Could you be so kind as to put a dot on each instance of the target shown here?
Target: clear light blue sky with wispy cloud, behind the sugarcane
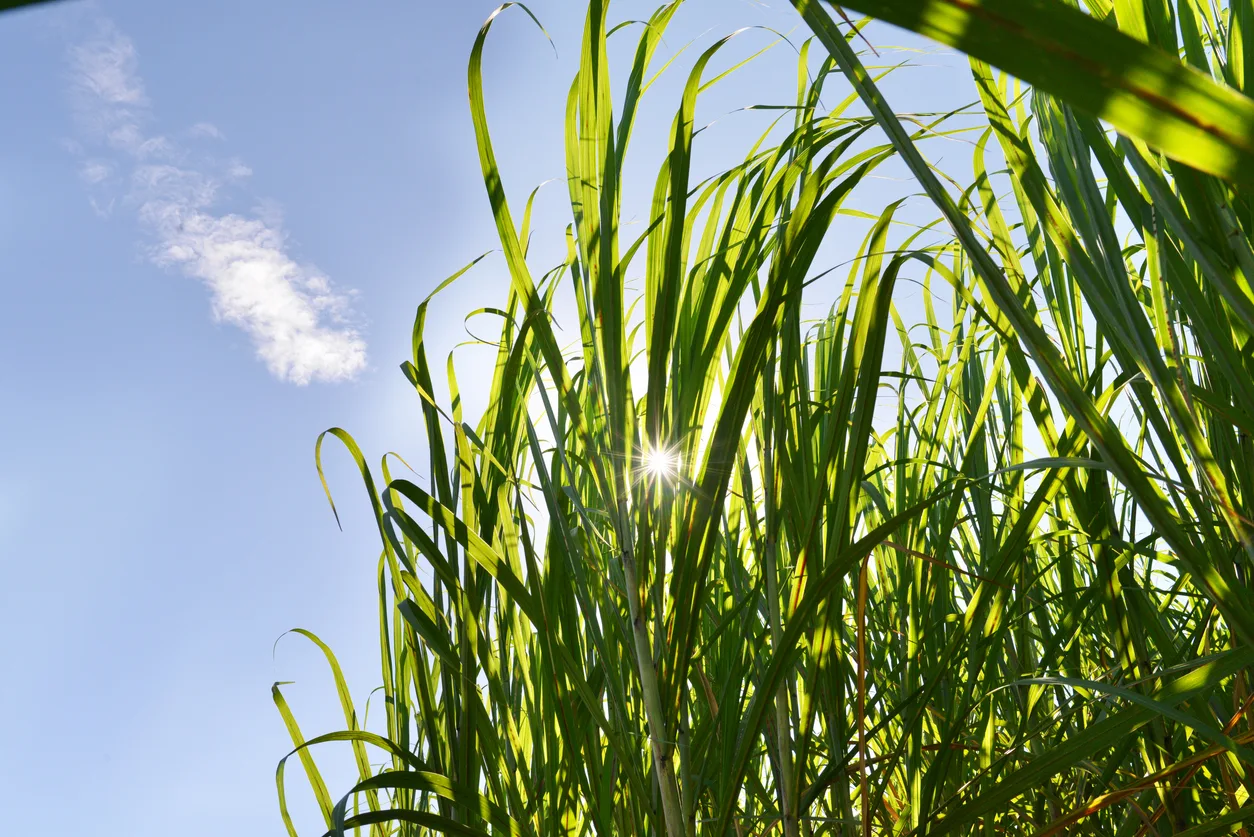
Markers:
(216, 221)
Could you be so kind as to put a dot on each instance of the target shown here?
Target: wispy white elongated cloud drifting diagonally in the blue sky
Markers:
(298, 321)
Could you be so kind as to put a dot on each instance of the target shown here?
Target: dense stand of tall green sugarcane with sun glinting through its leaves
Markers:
(715, 567)
